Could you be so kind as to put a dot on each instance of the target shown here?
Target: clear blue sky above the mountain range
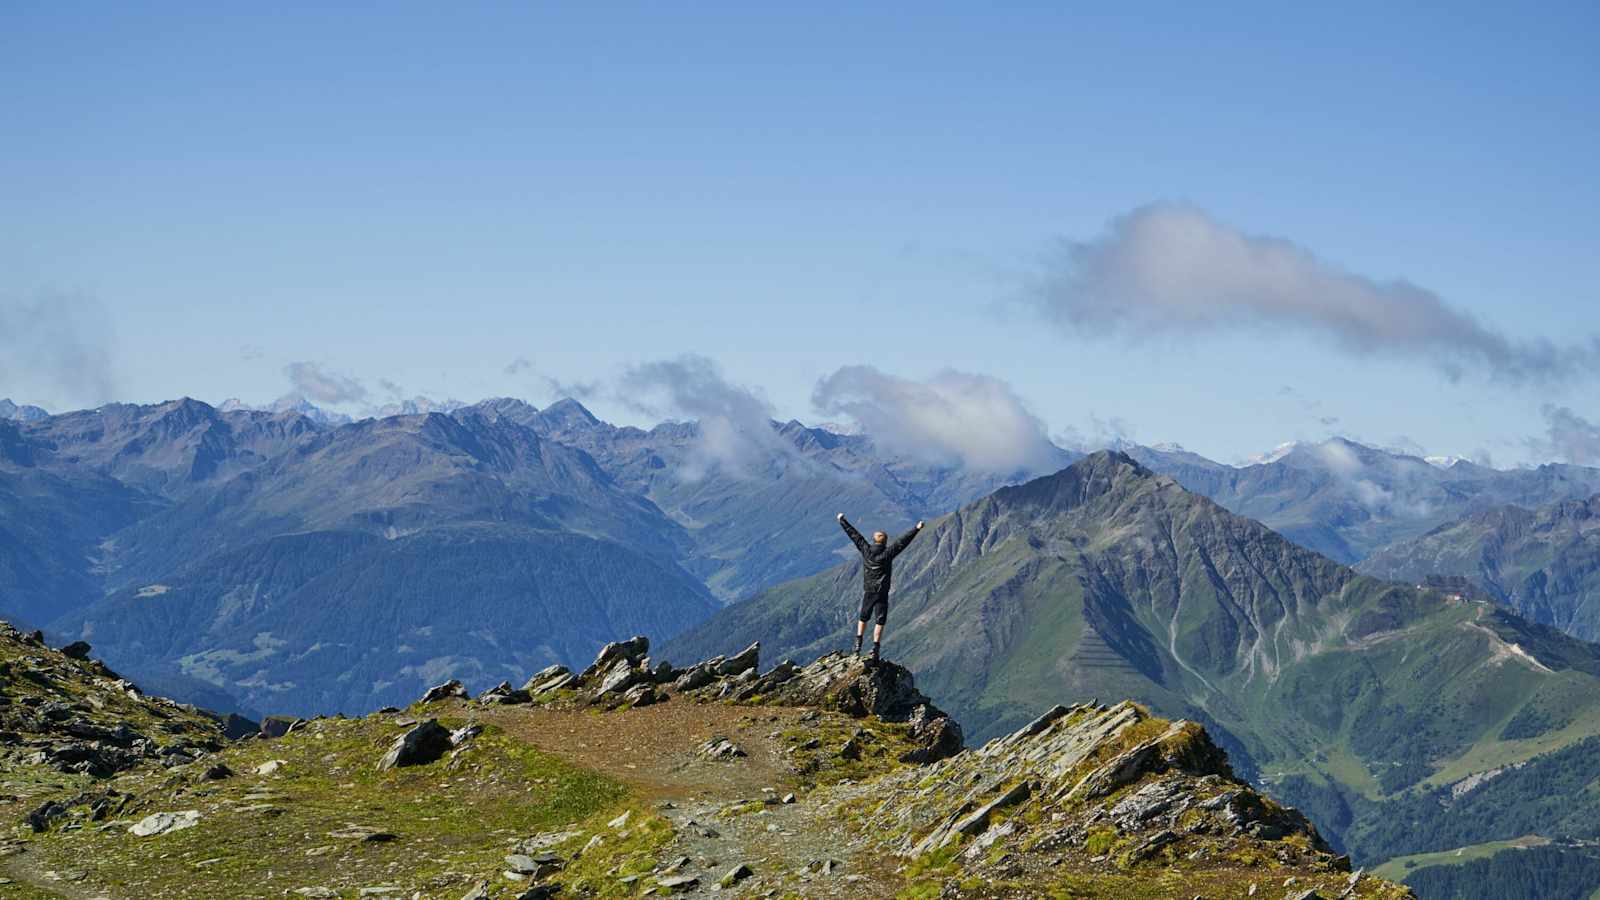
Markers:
(194, 198)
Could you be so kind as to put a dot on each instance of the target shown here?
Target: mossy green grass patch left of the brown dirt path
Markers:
(455, 819)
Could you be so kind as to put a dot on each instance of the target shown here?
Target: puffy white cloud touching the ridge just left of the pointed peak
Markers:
(954, 417)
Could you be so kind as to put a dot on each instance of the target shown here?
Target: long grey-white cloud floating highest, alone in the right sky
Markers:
(1172, 270)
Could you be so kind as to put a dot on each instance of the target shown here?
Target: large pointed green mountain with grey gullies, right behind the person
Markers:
(1391, 715)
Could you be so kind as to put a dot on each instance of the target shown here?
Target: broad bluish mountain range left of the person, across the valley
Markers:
(281, 561)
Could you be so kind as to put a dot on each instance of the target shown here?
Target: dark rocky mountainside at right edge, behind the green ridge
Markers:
(1542, 563)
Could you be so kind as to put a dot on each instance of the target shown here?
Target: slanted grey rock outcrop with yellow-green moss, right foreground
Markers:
(1126, 794)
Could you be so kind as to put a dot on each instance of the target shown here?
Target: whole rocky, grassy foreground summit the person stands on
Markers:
(636, 777)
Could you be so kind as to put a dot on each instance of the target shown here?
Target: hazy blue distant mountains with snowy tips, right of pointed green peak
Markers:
(1348, 500)
